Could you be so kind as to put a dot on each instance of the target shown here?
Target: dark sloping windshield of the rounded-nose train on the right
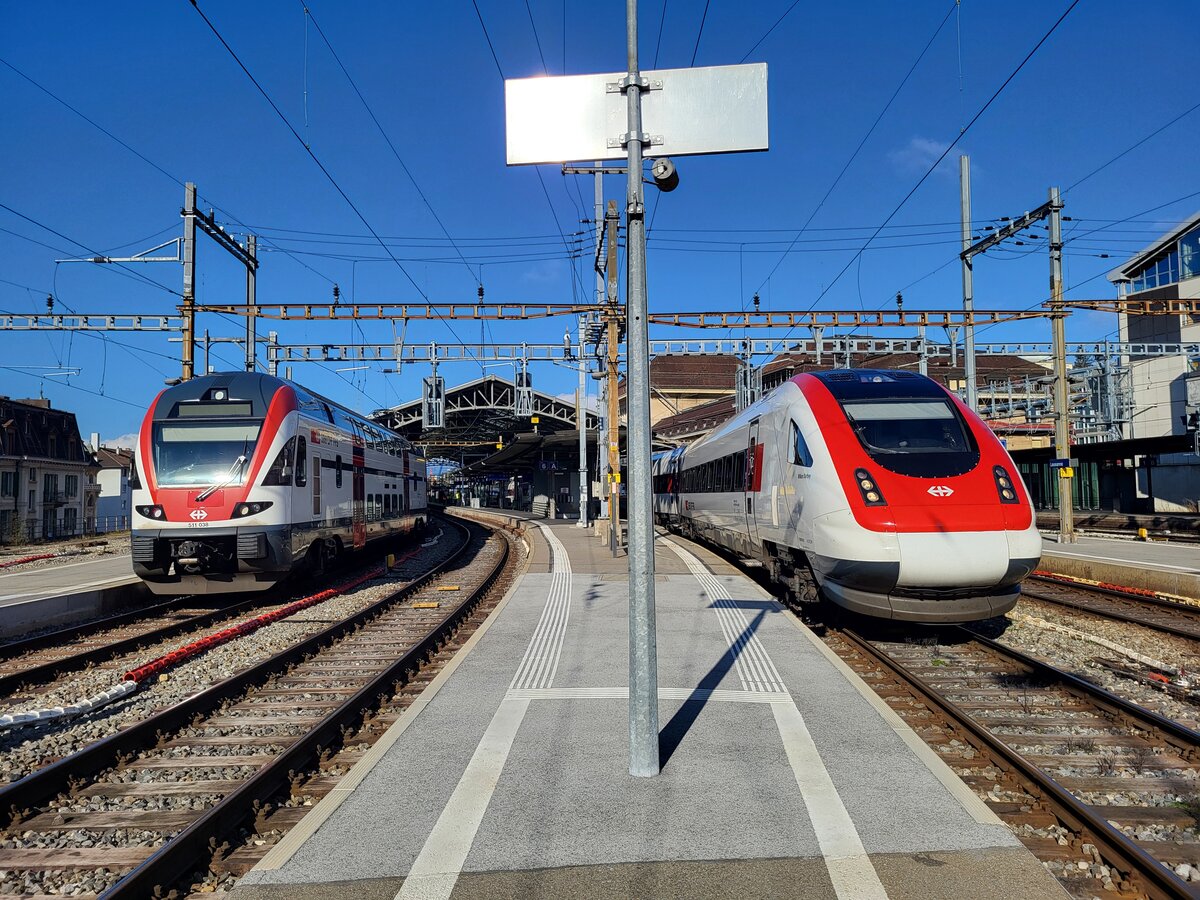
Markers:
(926, 439)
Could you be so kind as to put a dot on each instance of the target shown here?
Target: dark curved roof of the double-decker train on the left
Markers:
(256, 389)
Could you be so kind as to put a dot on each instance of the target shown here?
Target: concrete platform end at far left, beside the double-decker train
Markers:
(65, 593)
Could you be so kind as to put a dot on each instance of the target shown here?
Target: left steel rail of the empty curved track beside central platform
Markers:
(40, 787)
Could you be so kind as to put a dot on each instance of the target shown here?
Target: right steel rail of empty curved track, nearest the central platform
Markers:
(181, 853)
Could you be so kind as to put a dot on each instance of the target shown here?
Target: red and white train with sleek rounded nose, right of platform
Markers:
(879, 487)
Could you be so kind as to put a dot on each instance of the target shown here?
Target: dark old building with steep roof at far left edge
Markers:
(47, 476)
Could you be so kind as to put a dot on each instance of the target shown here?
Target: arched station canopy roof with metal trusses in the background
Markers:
(481, 415)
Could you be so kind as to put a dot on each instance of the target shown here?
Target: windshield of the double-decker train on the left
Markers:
(202, 454)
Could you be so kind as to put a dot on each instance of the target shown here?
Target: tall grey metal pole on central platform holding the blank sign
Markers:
(644, 682)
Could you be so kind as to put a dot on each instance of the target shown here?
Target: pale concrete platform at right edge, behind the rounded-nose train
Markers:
(1155, 566)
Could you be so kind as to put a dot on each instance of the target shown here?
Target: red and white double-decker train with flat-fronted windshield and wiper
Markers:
(244, 478)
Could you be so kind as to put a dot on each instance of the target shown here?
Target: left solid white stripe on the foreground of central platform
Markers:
(437, 867)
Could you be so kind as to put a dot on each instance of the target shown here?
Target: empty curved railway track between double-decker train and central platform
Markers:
(148, 805)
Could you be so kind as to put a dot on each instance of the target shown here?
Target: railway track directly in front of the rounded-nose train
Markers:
(1103, 791)
